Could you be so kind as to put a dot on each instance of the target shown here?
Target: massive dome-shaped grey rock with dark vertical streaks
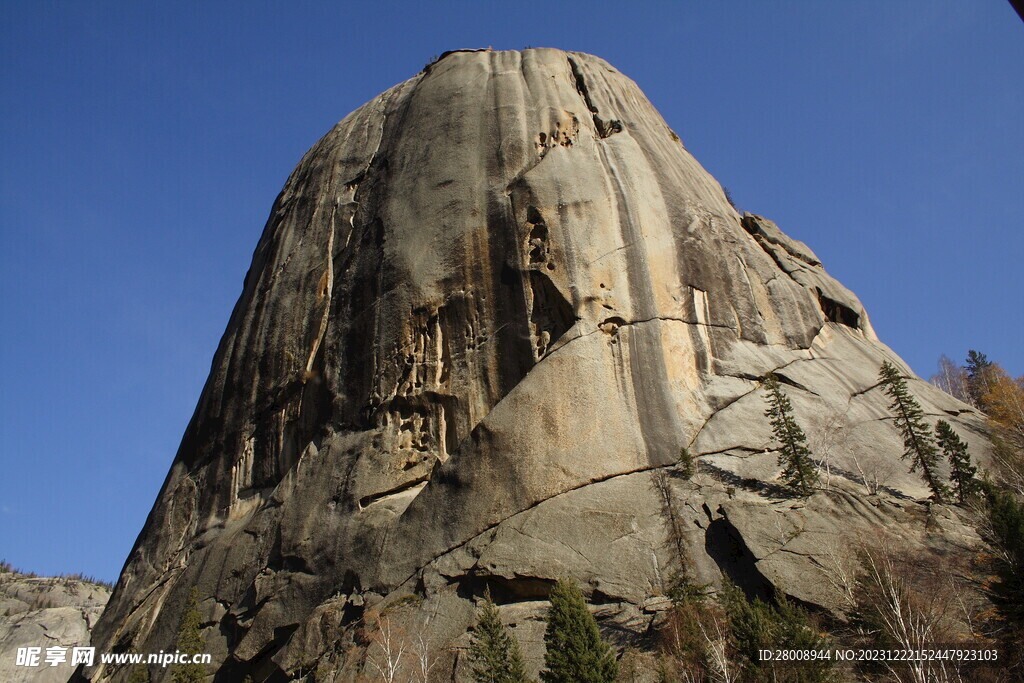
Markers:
(488, 312)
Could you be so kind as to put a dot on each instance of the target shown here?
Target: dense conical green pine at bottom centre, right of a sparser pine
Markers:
(576, 650)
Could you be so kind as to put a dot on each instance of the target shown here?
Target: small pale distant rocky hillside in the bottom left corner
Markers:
(38, 612)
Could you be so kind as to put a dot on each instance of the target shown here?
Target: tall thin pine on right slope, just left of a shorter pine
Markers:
(910, 419)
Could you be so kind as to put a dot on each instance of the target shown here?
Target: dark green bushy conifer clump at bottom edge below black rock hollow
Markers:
(756, 626)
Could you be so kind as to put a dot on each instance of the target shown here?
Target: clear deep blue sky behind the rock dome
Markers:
(144, 144)
